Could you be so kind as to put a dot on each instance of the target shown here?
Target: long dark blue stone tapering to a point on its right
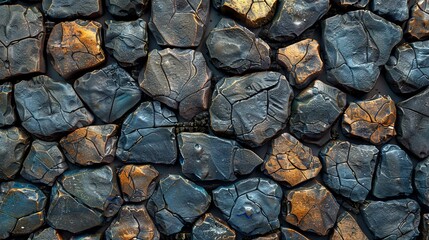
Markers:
(206, 157)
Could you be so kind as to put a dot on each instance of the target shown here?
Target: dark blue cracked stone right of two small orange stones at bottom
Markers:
(176, 202)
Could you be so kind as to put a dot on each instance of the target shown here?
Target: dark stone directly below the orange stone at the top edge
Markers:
(235, 49)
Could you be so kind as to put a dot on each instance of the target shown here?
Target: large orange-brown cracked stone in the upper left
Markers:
(75, 47)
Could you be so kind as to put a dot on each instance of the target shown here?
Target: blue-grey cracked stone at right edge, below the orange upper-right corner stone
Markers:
(407, 70)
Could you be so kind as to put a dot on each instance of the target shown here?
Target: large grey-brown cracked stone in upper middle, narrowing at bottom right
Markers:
(179, 78)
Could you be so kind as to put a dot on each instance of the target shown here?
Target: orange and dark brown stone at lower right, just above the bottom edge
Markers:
(311, 208)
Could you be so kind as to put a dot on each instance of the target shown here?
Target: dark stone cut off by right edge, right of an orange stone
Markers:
(411, 113)
